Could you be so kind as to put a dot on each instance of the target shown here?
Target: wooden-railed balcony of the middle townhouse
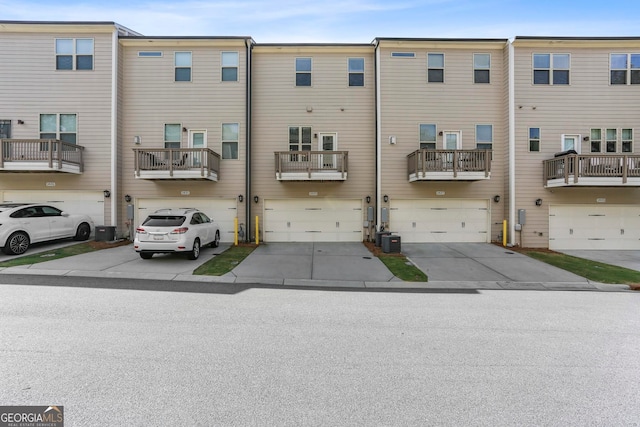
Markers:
(311, 165)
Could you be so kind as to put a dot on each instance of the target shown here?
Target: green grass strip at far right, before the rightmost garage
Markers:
(592, 270)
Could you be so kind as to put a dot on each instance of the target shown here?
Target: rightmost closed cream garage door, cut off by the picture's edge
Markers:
(594, 227)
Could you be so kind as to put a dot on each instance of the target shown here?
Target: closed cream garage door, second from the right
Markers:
(440, 220)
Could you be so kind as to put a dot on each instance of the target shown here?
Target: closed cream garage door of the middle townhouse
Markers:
(313, 220)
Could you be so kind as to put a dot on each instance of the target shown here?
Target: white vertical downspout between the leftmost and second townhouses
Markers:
(114, 128)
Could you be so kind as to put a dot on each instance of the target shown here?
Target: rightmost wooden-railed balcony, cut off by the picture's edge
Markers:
(592, 170)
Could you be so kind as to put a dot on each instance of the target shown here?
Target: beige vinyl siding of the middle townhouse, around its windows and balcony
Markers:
(336, 108)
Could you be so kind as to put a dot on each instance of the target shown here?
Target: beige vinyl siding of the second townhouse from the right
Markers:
(407, 100)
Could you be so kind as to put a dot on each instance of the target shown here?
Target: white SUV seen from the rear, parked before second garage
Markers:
(176, 231)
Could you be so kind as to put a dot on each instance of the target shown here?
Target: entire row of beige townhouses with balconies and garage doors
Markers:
(438, 140)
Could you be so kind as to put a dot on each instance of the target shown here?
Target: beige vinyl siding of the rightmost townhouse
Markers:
(588, 102)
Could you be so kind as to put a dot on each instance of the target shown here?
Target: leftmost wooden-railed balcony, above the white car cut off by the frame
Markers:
(40, 155)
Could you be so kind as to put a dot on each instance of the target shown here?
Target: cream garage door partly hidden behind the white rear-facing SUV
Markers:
(223, 211)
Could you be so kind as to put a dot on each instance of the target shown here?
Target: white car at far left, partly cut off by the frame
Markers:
(22, 224)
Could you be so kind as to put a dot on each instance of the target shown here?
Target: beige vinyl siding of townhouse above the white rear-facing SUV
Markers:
(151, 99)
